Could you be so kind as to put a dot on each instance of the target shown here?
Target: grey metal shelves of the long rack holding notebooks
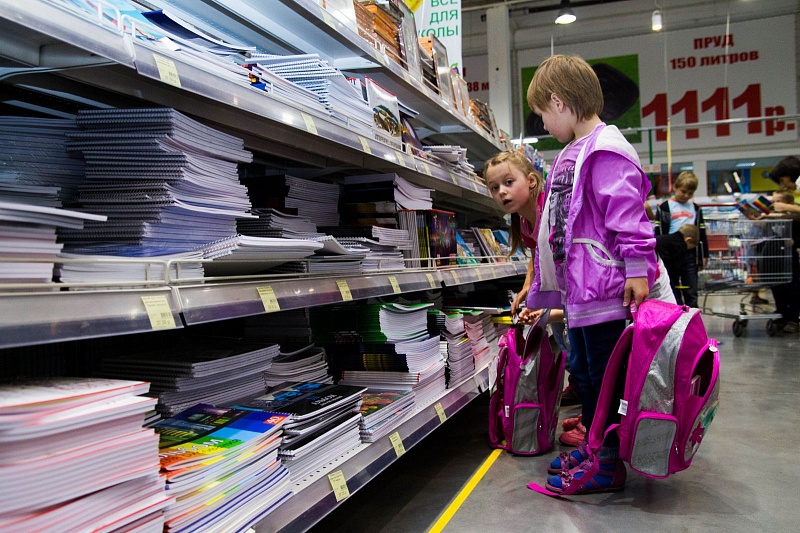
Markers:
(49, 47)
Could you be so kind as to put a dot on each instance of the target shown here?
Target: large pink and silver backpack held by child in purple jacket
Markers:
(671, 373)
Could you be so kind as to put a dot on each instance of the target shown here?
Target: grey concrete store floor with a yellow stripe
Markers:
(743, 477)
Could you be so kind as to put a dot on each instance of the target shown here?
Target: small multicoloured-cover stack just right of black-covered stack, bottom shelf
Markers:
(382, 411)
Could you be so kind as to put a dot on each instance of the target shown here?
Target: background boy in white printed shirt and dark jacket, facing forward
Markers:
(674, 213)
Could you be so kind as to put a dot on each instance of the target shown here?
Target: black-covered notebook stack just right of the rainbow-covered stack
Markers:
(323, 422)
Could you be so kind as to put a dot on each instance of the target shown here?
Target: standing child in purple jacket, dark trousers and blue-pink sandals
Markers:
(596, 247)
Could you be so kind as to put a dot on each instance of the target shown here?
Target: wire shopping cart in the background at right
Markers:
(744, 257)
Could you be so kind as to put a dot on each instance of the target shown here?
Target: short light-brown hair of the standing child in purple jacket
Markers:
(571, 79)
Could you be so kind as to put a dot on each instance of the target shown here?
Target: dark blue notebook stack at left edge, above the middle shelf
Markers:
(36, 168)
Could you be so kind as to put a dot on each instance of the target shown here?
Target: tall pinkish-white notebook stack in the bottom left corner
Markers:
(74, 457)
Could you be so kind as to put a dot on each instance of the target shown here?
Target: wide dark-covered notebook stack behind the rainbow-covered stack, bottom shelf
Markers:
(213, 370)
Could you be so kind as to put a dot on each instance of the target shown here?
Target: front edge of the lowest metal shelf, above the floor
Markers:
(314, 498)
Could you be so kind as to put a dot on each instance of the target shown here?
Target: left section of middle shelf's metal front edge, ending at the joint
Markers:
(46, 317)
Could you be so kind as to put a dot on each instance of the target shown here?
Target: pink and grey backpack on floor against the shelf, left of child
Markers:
(523, 409)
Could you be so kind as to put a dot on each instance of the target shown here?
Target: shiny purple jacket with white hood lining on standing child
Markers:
(608, 237)
